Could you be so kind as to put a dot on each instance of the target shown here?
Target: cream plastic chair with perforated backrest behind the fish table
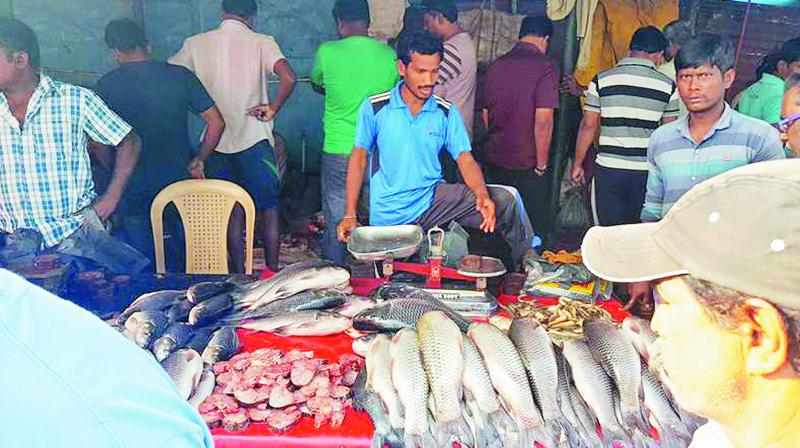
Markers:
(205, 208)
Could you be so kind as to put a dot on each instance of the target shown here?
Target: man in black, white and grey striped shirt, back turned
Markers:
(626, 103)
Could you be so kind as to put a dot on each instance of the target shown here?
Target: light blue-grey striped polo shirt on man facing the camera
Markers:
(677, 163)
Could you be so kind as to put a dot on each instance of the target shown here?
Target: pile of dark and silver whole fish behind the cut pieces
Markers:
(188, 331)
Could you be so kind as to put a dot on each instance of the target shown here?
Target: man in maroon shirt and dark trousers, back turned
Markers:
(520, 94)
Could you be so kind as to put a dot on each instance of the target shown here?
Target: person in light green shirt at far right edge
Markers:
(763, 99)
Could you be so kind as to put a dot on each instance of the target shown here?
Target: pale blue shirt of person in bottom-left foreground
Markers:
(72, 380)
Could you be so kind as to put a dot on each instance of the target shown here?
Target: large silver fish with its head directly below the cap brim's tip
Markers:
(619, 358)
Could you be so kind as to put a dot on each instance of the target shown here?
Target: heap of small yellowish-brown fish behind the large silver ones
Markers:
(564, 319)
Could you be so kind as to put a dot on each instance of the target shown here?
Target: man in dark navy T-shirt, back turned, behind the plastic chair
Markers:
(154, 98)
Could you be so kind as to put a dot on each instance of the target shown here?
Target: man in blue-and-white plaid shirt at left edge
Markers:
(45, 174)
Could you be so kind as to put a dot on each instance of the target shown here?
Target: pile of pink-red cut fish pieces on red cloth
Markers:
(278, 388)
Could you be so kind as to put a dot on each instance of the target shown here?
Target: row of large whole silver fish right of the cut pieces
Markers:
(440, 379)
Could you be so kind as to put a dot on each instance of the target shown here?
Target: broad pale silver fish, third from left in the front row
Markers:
(442, 350)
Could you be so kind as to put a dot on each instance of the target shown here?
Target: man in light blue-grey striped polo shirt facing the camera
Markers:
(713, 139)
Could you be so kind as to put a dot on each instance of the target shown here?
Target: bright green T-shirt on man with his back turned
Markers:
(350, 70)
